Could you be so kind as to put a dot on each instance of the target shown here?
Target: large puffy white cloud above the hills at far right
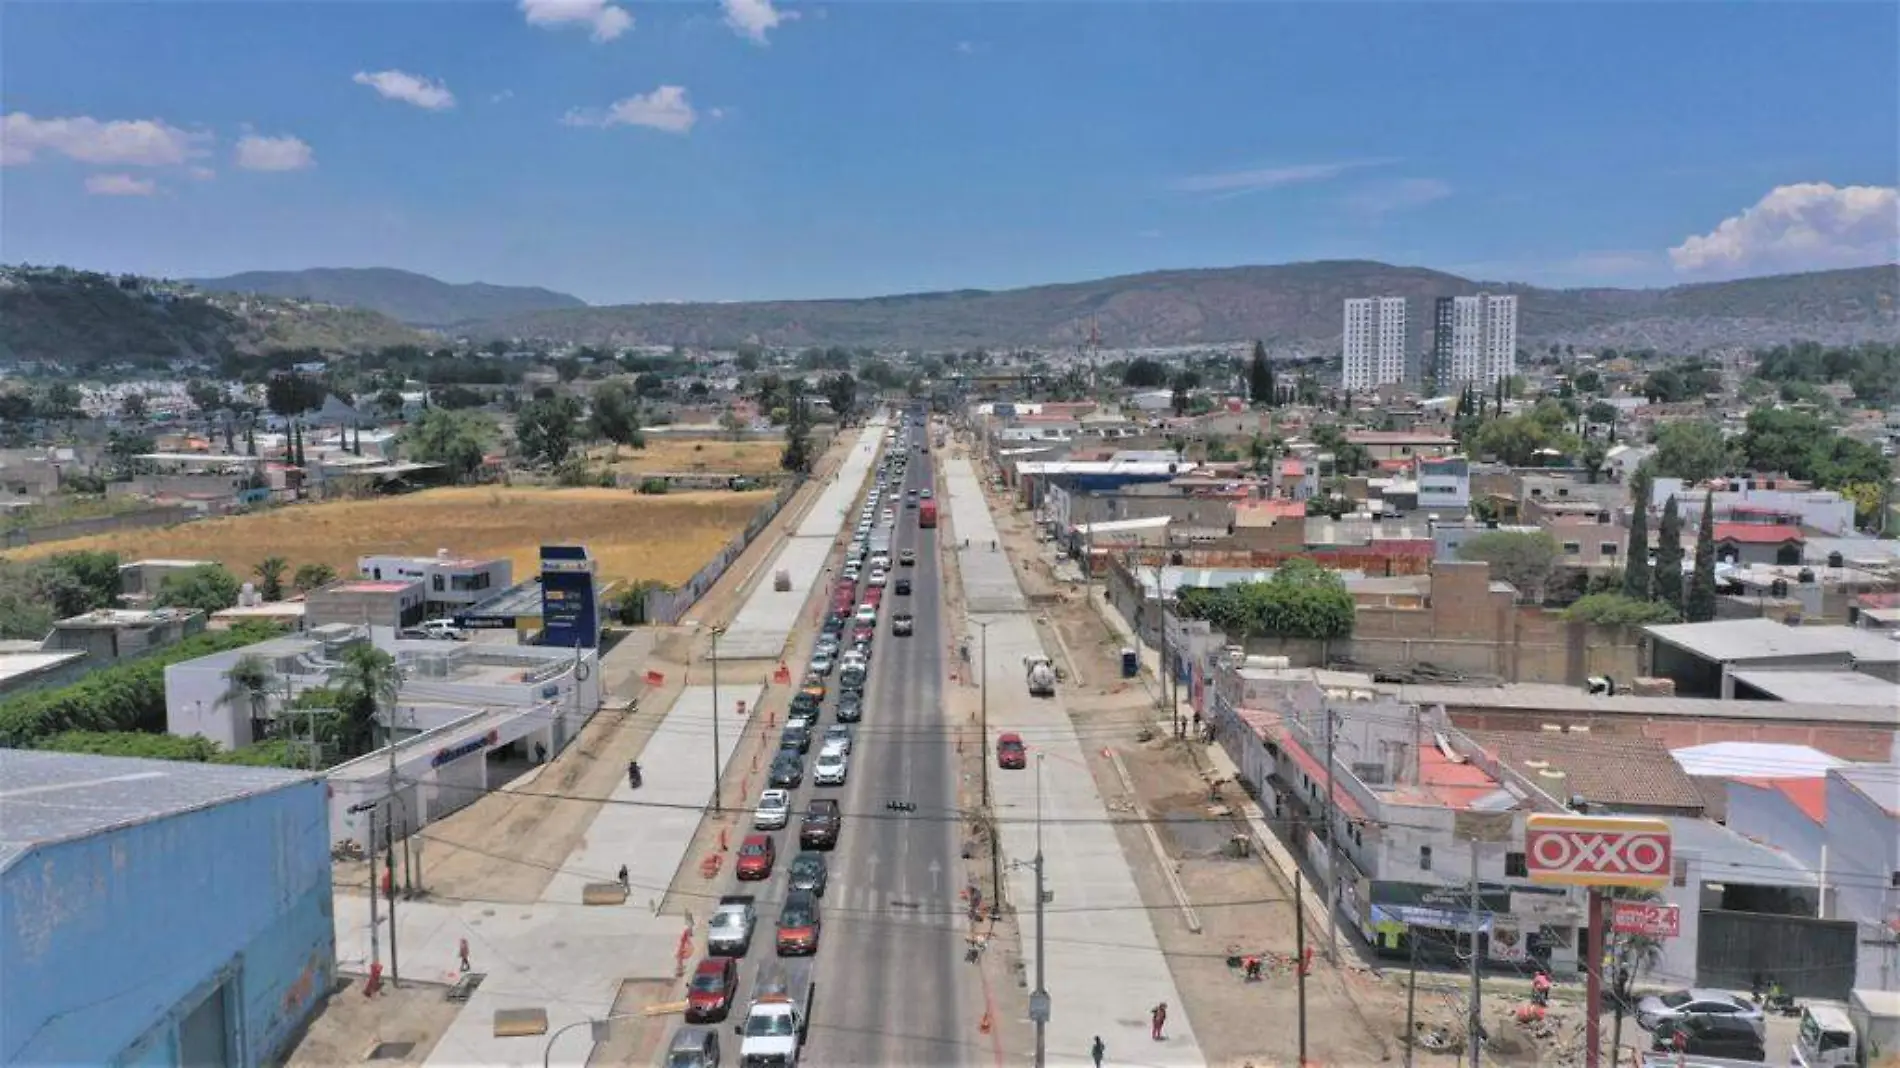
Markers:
(1800, 227)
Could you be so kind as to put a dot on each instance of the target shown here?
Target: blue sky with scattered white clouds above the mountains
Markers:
(704, 153)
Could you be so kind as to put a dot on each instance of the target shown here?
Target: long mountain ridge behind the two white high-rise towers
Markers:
(1291, 307)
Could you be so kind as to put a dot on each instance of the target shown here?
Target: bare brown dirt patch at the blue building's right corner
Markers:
(351, 1027)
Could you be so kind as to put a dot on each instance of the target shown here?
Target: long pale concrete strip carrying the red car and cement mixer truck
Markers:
(1105, 968)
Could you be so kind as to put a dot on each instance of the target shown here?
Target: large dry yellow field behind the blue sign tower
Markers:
(632, 537)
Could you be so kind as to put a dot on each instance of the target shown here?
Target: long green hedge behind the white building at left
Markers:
(121, 698)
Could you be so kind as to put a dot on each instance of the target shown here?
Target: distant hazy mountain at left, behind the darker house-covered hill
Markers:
(406, 297)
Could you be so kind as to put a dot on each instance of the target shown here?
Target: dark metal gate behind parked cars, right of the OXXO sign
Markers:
(1810, 959)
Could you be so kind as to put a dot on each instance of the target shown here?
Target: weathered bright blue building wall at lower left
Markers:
(109, 942)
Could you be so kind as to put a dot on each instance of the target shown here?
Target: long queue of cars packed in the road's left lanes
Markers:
(776, 1020)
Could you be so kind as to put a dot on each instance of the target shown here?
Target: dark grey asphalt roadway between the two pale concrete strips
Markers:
(892, 985)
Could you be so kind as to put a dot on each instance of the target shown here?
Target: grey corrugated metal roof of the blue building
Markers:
(58, 797)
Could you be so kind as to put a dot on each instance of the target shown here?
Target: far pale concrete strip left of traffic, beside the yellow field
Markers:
(769, 617)
